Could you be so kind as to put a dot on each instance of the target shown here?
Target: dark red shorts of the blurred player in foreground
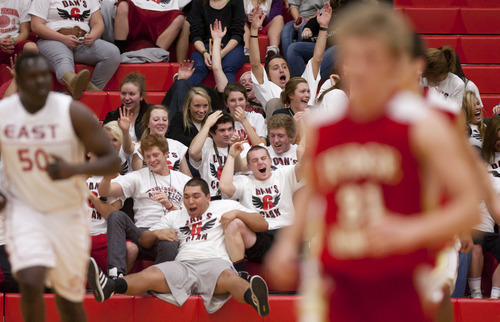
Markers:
(391, 298)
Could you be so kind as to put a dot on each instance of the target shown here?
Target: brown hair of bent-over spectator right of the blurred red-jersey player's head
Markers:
(440, 61)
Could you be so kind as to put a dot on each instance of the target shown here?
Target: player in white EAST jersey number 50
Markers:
(43, 139)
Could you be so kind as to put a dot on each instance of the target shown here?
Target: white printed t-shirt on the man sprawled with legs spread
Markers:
(200, 237)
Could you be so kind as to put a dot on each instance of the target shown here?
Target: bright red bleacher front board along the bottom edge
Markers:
(125, 308)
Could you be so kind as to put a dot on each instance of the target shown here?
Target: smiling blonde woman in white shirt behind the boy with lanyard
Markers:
(155, 121)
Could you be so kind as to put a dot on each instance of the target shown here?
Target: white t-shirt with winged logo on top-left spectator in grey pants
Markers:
(65, 13)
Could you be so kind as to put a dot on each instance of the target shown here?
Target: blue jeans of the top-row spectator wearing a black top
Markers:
(231, 64)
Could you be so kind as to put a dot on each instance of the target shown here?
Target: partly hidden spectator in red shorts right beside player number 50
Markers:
(99, 210)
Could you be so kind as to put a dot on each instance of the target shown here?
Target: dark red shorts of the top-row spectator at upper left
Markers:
(148, 23)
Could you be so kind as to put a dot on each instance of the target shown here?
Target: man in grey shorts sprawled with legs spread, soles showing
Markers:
(202, 265)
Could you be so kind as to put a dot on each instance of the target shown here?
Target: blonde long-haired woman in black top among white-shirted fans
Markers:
(186, 124)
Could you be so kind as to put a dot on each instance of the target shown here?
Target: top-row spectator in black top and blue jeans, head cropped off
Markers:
(232, 16)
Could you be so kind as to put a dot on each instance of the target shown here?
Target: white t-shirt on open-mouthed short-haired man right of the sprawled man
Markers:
(271, 198)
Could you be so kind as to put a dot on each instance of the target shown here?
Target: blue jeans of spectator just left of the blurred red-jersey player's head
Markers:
(299, 54)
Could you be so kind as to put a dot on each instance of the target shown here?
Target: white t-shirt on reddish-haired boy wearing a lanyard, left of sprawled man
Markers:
(141, 184)
